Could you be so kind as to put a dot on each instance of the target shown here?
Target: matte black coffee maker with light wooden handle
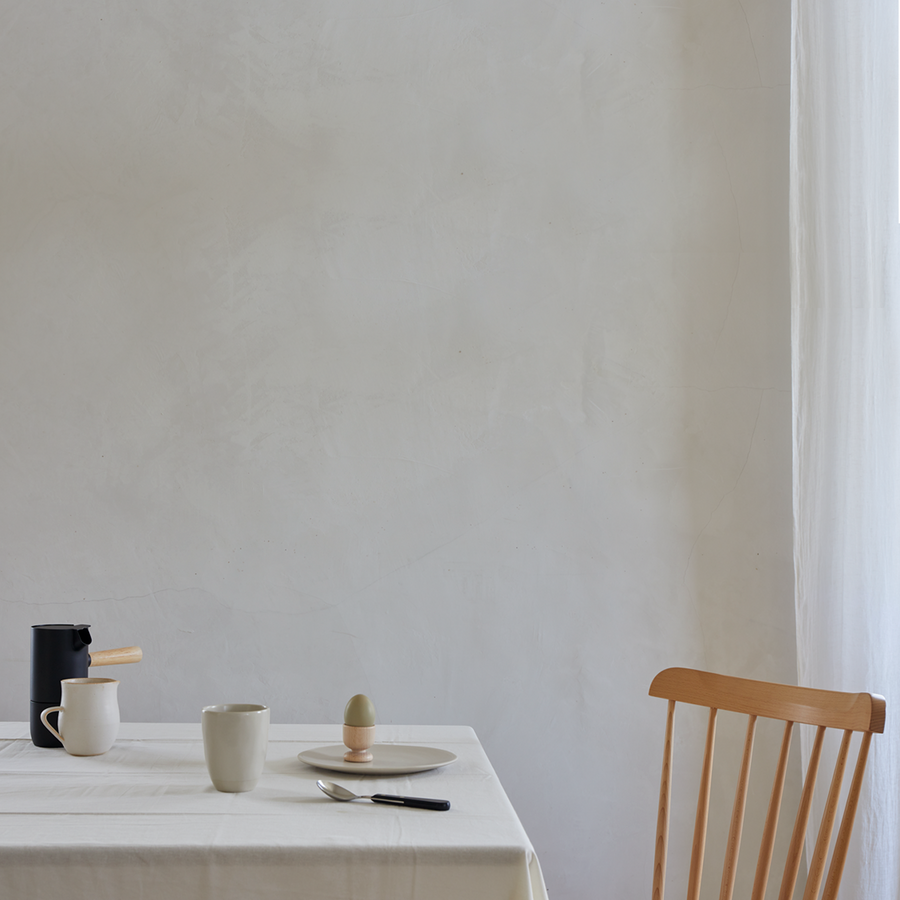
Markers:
(58, 652)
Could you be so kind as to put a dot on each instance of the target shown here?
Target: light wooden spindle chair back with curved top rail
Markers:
(824, 709)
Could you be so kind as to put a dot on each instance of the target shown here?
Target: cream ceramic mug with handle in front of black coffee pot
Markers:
(88, 715)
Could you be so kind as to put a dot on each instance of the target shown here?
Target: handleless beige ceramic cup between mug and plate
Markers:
(235, 740)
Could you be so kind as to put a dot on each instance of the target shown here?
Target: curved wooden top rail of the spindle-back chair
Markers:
(809, 706)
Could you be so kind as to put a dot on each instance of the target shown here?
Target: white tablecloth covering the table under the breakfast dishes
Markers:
(144, 821)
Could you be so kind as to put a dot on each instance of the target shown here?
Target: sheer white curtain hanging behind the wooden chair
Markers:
(846, 387)
